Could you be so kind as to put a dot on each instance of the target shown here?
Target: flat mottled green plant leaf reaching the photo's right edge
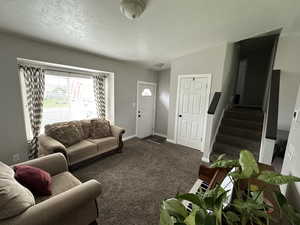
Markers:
(276, 178)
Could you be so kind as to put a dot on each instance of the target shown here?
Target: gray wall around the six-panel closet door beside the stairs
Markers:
(206, 61)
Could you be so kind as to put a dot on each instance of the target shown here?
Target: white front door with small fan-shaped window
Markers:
(145, 109)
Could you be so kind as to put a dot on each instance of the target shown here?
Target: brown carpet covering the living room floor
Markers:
(135, 181)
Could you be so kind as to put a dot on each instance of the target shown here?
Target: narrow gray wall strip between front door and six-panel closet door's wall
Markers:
(162, 102)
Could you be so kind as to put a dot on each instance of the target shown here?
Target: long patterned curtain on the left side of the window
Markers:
(34, 78)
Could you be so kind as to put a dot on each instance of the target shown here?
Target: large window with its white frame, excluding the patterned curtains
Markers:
(68, 95)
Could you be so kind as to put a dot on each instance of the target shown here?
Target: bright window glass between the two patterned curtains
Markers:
(68, 98)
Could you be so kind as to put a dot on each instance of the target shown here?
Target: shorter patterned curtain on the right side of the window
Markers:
(99, 93)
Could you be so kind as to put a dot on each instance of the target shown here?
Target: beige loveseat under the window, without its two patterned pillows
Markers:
(87, 148)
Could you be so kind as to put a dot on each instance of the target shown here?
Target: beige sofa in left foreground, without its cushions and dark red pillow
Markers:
(71, 202)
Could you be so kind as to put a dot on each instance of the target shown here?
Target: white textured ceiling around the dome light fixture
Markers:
(167, 30)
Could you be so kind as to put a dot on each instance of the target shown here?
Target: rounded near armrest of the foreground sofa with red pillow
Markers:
(55, 209)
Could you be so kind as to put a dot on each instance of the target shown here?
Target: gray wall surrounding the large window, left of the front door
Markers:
(12, 135)
